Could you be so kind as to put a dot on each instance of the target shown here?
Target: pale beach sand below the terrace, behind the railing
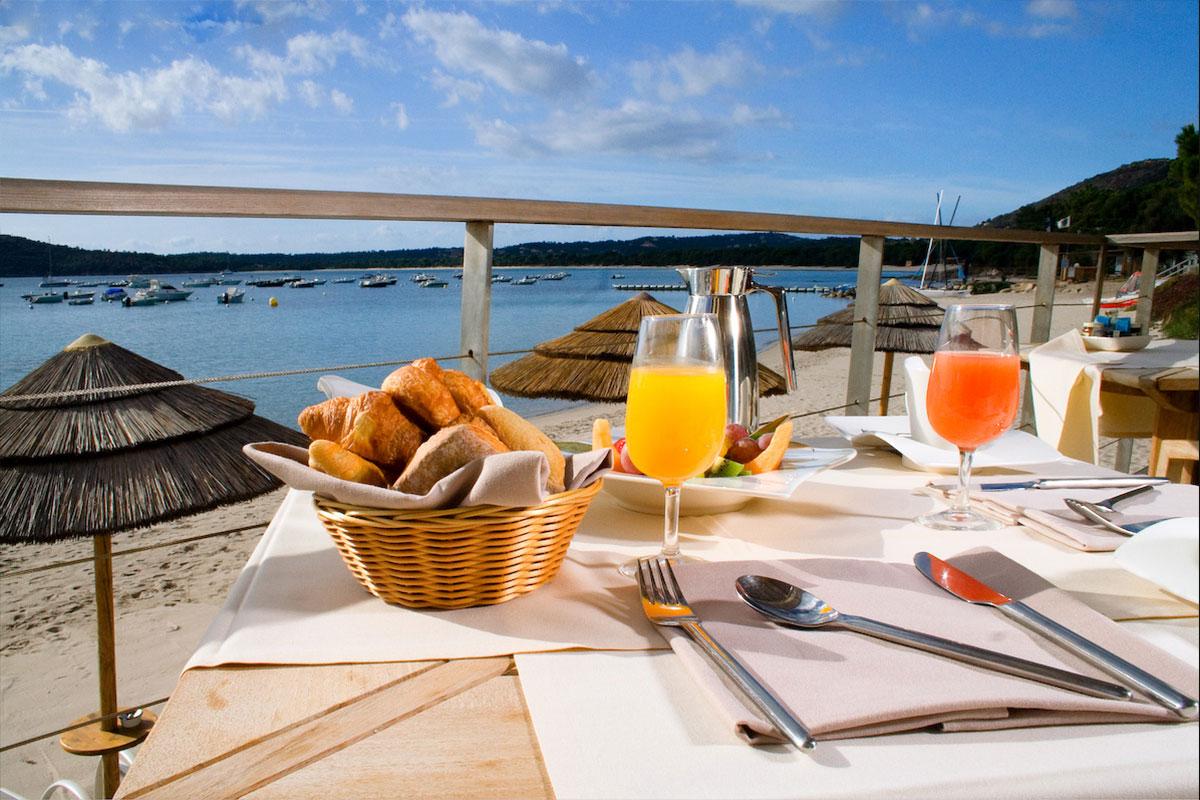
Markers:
(167, 597)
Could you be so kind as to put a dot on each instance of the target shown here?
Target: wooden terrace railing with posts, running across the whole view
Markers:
(481, 216)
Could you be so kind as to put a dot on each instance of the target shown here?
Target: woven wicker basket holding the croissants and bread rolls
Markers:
(455, 558)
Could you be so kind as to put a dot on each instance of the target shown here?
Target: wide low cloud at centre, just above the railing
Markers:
(634, 128)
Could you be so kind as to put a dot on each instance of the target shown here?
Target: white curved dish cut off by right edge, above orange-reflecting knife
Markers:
(1167, 555)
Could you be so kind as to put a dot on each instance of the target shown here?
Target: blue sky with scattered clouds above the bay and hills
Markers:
(825, 107)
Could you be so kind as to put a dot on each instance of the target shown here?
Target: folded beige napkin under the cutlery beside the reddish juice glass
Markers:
(1045, 513)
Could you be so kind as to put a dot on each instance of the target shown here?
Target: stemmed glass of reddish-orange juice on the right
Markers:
(973, 396)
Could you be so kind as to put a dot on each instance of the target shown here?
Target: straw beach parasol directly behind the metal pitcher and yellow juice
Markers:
(592, 363)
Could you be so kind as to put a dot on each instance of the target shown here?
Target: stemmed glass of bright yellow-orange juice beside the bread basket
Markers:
(675, 417)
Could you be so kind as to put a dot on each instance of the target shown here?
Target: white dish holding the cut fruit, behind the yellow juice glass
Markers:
(721, 495)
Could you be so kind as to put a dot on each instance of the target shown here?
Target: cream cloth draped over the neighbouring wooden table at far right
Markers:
(1071, 412)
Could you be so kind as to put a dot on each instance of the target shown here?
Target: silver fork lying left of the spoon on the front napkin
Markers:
(664, 604)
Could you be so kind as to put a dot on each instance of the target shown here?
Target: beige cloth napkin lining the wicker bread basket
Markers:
(513, 479)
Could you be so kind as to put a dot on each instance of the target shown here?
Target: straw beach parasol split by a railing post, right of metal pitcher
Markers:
(908, 322)
